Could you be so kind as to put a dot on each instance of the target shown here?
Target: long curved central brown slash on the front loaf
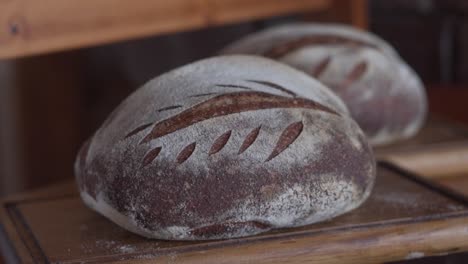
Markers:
(227, 104)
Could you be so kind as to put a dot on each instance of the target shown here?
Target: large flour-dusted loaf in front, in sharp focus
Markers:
(226, 147)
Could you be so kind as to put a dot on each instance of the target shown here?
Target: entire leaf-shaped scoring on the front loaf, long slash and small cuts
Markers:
(225, 104)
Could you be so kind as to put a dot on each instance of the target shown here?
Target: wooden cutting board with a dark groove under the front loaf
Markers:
(405, 217)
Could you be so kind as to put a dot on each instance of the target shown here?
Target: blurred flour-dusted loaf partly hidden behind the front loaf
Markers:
(384, 95)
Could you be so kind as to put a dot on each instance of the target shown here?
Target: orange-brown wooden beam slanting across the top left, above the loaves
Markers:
(34, 27)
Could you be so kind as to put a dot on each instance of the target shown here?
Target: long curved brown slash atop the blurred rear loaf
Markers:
(293, 45)
